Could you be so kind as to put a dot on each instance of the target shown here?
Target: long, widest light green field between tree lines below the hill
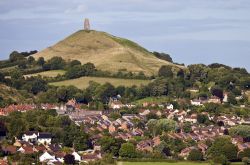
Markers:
(83, 82)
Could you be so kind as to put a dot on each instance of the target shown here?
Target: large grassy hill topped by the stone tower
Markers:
(107, 52)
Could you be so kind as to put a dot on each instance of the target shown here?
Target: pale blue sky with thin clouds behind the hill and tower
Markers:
(191, 31)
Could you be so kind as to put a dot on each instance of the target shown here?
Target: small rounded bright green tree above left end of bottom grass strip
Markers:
(127, 150)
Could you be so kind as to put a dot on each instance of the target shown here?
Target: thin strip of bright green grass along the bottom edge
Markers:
(160, 163)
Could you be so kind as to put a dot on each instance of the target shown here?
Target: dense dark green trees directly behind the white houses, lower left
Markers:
(63, 130)
